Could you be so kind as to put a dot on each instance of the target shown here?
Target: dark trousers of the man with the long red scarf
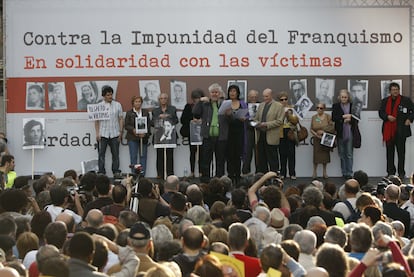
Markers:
(397, 143)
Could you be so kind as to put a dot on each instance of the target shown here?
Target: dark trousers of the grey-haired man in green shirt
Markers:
(218, 147)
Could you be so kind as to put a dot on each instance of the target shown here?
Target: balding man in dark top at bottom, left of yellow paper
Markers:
(193, 243)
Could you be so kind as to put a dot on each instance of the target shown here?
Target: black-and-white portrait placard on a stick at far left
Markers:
(33, 133)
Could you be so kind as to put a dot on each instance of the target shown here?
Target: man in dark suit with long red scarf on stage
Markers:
(397, 113)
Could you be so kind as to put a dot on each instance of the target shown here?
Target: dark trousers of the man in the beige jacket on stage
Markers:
(268, 156)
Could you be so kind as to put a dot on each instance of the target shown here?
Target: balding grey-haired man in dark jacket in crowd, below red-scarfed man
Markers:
(392, 210)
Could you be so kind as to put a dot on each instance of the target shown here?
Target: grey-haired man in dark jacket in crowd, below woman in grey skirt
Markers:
(312, 198)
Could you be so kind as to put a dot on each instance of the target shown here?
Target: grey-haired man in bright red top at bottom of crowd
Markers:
(238, 238)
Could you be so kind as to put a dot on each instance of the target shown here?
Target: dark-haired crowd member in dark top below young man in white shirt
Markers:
(103, 187)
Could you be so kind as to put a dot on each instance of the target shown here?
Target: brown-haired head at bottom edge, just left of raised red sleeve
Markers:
(333, 258)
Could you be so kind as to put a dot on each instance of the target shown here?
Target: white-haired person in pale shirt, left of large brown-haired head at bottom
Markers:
(307, 244)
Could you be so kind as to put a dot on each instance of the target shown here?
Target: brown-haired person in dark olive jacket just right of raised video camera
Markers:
(151, 205)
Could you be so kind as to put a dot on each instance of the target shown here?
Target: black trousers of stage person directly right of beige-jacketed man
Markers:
(287, 151)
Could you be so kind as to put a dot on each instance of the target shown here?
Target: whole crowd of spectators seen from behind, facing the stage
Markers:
(88, 226)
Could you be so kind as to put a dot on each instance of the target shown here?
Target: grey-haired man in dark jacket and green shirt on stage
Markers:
(214, 131)
